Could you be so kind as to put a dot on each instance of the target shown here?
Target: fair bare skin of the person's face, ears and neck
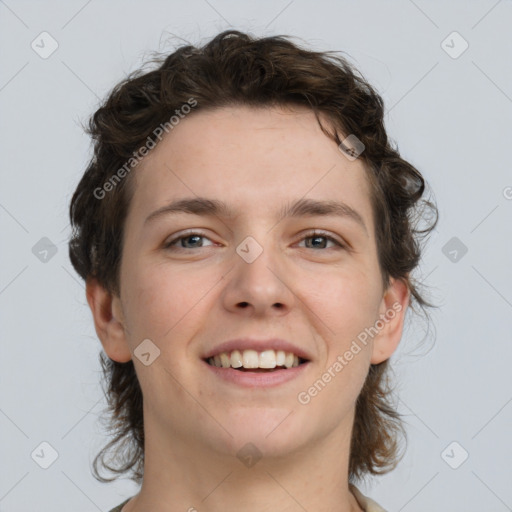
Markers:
(196, 296)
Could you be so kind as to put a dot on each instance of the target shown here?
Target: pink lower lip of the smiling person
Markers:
(257, 379)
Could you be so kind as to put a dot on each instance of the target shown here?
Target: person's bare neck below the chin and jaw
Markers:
(181, 475)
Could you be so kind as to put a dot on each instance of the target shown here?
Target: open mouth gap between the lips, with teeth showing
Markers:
(266, 361)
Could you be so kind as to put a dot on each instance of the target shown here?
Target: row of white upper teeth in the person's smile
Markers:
(254, 359)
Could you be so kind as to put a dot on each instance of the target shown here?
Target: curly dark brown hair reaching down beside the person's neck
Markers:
(235, 68)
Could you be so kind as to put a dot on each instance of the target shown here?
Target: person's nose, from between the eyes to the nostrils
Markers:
(258, 287)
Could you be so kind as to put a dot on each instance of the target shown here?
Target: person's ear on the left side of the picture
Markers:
(108, 321)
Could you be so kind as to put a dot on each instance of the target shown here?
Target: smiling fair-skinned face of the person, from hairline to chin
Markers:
(256, 270)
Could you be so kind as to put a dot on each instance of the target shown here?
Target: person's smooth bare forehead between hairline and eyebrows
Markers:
(254, 159)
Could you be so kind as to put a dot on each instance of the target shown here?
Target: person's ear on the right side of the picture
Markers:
(392, 314)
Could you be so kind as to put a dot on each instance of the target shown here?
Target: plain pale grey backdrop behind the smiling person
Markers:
(451, 117)
